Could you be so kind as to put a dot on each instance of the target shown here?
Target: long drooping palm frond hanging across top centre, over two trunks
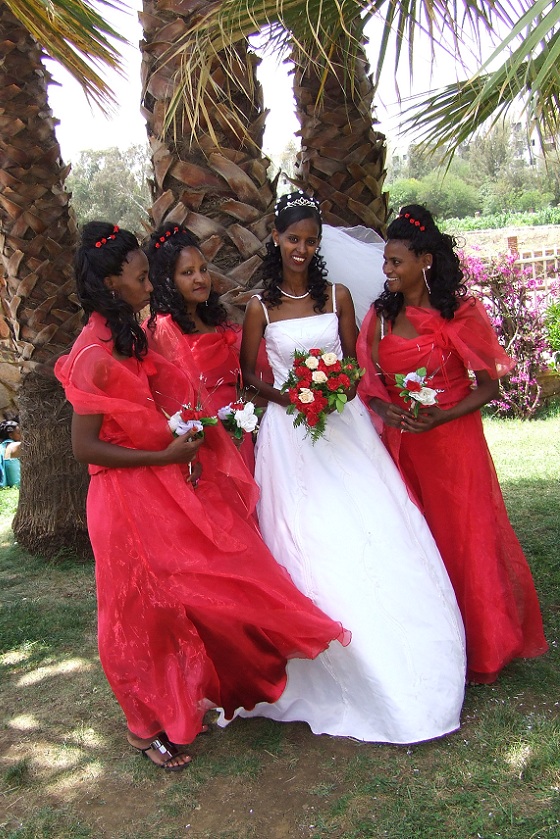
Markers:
(328, 35)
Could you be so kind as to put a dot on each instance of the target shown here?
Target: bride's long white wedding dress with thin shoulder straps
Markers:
(337, 515)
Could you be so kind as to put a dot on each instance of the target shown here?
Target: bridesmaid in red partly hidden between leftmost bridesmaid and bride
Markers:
(192, 324)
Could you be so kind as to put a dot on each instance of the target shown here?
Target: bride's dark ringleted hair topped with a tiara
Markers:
(291, 208)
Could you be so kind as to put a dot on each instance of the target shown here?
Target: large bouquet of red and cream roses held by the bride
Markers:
(317, 385)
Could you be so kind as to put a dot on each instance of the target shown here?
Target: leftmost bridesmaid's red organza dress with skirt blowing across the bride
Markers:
(193, 610)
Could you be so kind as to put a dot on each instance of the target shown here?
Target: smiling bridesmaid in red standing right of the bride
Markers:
(424, 324)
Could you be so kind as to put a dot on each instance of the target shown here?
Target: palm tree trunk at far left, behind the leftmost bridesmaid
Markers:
(40, 313)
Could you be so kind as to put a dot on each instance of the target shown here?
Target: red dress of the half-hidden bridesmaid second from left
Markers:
(216, 360)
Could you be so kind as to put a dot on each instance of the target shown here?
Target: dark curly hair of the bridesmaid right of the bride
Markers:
(415, 227)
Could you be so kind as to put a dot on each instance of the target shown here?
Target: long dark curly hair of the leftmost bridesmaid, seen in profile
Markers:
(103, 251)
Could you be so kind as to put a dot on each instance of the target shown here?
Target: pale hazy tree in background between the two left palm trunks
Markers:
(112, 184)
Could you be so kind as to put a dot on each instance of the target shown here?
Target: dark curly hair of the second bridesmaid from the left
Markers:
(163, 249)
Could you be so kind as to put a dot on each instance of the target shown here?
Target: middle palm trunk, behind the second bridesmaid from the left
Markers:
(217, 186)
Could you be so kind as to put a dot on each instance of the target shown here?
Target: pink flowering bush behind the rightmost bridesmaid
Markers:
(518, 318)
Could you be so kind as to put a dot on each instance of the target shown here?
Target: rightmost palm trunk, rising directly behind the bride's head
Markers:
(342, 162)
